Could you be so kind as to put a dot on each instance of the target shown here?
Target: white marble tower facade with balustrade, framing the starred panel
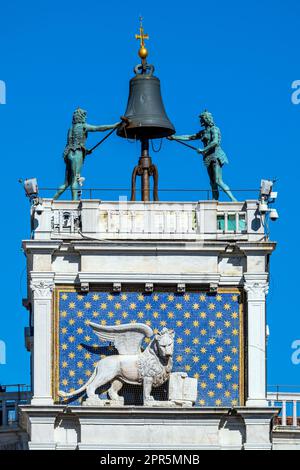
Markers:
(209, 244)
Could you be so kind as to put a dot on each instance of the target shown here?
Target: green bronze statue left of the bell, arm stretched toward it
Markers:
(75, 151)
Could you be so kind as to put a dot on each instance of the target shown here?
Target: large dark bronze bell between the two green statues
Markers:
(145, 109)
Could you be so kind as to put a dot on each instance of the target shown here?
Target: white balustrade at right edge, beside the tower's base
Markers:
(289, 401)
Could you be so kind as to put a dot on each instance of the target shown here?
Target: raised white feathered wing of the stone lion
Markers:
(126, 338)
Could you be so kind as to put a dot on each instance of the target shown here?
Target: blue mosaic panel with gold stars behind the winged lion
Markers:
(207, 337)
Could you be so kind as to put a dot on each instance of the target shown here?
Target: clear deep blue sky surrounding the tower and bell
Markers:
(237, 59)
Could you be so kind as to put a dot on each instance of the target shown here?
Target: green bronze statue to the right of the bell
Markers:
(213, 156)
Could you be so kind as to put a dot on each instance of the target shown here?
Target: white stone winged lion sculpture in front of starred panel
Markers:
(150, 368)
